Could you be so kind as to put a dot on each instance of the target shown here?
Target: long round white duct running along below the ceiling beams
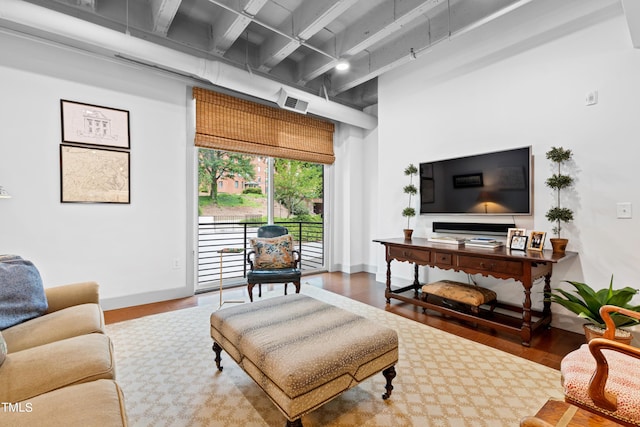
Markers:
(36, 20)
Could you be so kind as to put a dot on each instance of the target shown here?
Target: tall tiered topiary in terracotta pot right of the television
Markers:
(557, 182)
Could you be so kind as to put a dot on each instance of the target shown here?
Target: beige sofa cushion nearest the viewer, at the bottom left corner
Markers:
(98, 403)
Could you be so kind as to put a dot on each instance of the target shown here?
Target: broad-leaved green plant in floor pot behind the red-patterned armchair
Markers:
(586, 303)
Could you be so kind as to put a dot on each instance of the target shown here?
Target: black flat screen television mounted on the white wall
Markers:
(497, 183)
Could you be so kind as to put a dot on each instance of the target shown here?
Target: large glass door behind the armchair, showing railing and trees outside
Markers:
(235, 198)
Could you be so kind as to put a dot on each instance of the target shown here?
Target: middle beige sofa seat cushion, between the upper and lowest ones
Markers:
(28, 373)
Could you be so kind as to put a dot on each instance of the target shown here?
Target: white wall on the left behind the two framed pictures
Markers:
(128, 249)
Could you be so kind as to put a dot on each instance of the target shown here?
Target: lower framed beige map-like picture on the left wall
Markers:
(94, 175)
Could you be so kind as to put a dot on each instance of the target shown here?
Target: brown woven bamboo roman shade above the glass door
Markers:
(231, 124)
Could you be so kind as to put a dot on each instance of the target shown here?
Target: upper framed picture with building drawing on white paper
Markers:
(94, 125)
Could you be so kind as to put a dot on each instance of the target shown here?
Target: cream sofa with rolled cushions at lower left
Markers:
(59, 368)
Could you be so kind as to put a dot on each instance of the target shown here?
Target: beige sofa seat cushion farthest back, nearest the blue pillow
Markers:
(62, 324)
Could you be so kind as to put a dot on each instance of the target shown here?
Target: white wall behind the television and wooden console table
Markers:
(517, 81)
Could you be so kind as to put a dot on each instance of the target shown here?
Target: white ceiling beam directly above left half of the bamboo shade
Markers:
(227, 29)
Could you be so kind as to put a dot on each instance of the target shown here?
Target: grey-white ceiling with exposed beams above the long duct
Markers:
(296, 42)
